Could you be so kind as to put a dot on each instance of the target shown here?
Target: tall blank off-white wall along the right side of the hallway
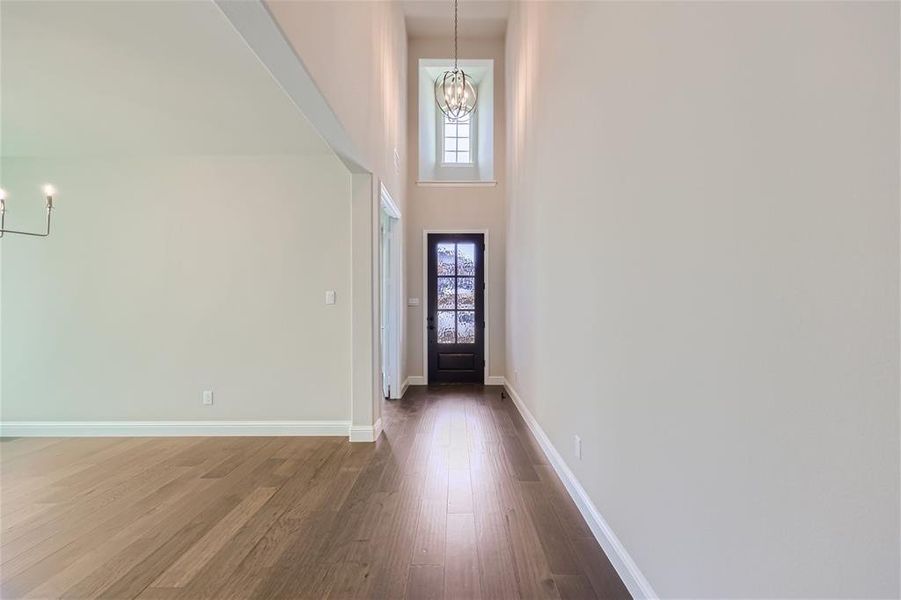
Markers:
(702, 282)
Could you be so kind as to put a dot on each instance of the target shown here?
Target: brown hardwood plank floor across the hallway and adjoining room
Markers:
(455, 500)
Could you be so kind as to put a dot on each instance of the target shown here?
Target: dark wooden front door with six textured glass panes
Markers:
(456, 313)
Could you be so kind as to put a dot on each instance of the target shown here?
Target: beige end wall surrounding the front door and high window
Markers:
(451, 208)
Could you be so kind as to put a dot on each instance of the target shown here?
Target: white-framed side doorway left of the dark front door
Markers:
(394, 294)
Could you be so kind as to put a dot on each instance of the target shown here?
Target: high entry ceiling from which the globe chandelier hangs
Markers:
(435, 18)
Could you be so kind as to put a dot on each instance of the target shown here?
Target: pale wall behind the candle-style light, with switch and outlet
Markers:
(168, 276)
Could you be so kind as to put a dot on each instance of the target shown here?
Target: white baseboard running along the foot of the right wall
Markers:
(628, 571)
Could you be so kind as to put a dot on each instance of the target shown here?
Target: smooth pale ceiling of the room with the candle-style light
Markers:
(85, 78)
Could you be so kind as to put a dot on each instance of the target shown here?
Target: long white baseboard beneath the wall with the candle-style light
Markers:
(171, 428)
